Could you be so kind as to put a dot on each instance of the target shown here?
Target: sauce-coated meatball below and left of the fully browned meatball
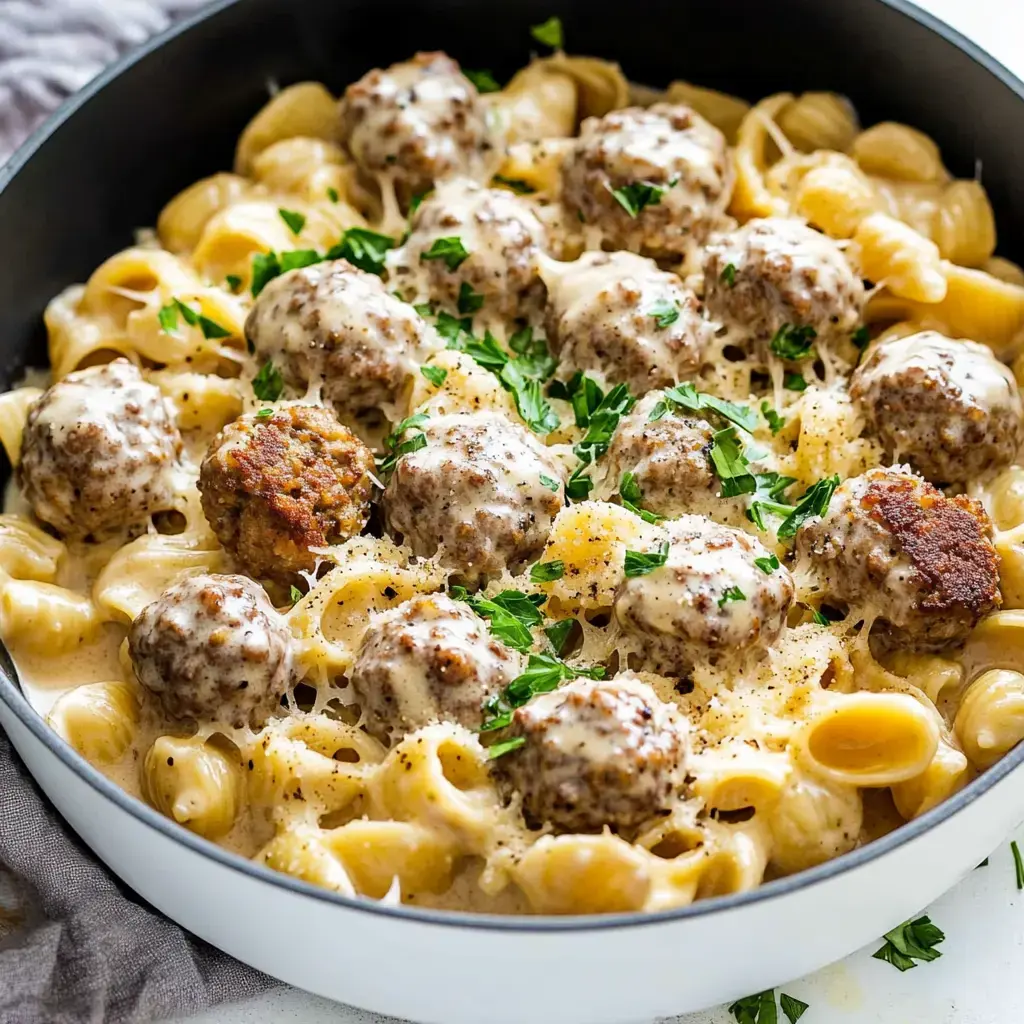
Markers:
(212, 649)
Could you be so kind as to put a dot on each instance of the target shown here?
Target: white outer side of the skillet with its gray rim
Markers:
(432, 967)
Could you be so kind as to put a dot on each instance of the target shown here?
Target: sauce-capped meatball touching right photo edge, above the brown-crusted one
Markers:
(950, 408)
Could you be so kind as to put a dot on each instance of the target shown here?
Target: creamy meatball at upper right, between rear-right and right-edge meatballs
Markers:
(778, 273)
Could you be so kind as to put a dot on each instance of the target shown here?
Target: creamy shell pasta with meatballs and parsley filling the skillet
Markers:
(565, 497)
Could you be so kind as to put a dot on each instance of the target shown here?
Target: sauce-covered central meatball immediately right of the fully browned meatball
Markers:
(483, 490)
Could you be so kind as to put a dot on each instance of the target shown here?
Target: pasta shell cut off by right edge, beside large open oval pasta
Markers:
(991, 720)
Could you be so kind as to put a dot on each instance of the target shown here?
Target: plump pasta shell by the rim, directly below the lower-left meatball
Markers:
(193, 783)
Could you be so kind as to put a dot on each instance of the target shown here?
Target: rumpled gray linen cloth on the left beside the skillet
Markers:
(76, 947)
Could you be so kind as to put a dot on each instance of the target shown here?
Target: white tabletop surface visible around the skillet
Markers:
(980, 977)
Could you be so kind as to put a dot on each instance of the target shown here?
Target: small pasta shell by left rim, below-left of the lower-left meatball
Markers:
(99, 720)
